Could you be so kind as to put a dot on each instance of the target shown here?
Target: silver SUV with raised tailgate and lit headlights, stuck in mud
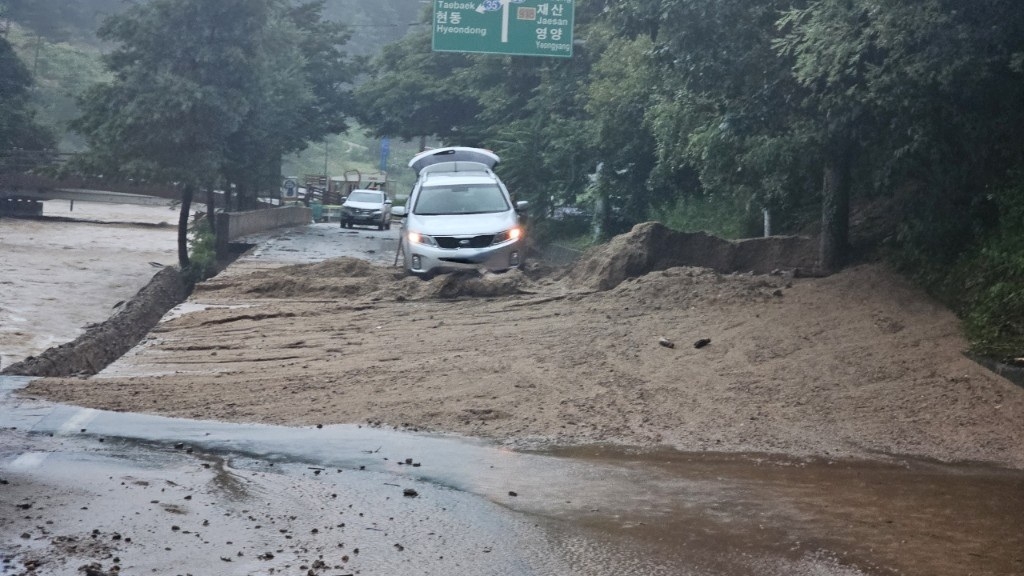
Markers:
(460, 215)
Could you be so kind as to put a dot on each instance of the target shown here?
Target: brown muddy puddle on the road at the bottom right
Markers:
(849, 518)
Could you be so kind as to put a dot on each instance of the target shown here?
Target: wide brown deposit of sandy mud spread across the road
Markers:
(858, 364)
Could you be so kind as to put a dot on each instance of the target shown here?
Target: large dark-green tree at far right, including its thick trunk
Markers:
(923, 95)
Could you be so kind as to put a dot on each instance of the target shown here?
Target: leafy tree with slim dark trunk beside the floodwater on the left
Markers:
(182, 71)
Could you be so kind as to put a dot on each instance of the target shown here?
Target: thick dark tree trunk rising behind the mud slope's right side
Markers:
(836, 211)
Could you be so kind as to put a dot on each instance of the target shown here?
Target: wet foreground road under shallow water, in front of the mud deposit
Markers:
(485, 510)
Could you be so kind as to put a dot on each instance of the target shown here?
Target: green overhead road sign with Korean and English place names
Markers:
(526, 28)
